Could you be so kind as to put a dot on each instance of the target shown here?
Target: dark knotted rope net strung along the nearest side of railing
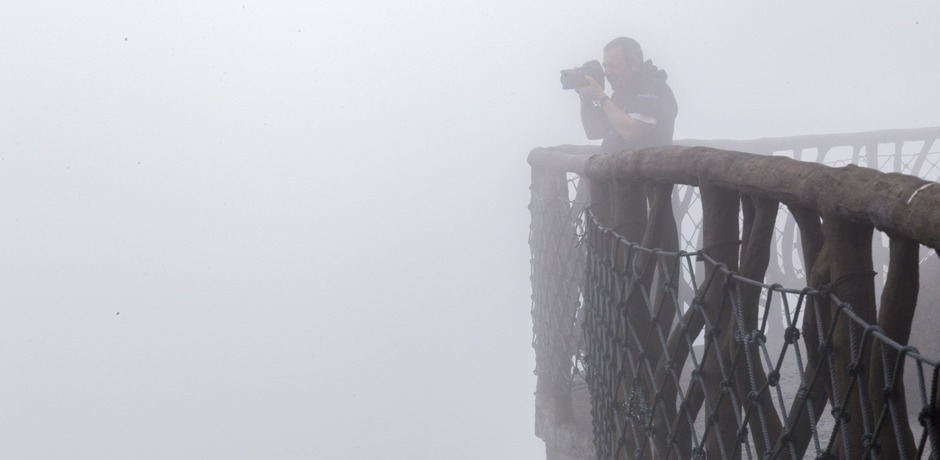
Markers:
(722, 376)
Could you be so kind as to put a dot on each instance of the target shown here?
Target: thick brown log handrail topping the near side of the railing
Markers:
(894, 203)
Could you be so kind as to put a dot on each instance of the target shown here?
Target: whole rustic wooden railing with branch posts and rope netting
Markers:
(599, 316)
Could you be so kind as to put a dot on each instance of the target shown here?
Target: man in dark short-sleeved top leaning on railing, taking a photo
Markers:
(642, 109)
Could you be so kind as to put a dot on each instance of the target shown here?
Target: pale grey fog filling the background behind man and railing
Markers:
(251, 230)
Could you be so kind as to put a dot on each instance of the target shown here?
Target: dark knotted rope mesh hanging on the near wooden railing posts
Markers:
(625, 387)
